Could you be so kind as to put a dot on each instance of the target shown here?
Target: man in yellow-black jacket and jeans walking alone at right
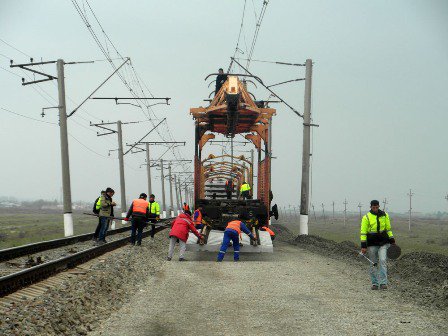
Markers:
(376, 237)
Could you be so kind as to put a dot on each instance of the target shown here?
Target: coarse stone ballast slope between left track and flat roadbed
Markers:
(83, 302)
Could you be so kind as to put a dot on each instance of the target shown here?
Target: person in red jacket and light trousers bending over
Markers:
(181, 226)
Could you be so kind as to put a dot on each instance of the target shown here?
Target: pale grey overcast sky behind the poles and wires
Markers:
(379, 92)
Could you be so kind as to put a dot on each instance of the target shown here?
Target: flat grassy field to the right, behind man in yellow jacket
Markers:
(429, 235)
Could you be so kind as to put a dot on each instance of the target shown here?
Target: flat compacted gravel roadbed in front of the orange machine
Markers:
(292, 291)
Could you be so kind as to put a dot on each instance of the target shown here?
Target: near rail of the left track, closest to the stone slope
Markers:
(15, 281)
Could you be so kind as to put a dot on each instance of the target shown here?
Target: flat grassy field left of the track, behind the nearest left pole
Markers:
(19, 227)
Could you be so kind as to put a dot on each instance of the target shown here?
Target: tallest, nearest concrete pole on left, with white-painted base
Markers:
(66, 188)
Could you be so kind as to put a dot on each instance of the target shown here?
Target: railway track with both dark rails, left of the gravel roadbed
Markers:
(18, 280)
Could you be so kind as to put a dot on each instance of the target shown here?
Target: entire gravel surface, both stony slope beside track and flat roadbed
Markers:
(314, 289)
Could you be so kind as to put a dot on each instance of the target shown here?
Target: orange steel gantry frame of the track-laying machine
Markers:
(248, 120)
